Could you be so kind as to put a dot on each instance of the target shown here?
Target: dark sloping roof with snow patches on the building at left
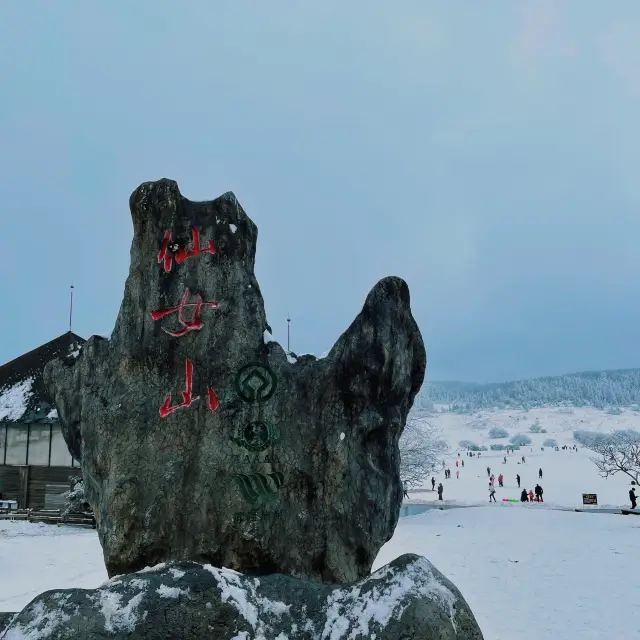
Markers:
(23, 397)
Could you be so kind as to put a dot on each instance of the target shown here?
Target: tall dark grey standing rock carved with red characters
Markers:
(201, 439)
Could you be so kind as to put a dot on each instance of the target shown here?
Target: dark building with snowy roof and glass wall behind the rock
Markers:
(35, 463)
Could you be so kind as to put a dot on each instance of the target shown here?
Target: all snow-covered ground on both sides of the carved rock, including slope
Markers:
(528, 571)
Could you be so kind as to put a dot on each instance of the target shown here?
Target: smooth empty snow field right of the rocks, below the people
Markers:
(530, 574)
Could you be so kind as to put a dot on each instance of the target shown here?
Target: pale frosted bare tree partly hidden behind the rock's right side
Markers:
(421, 448)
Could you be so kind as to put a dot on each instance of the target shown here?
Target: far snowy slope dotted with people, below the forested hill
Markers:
(566, 474)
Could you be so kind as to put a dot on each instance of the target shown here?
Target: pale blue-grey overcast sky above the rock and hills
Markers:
(488, 153)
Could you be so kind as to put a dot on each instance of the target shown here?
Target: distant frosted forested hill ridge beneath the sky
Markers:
(599, 389)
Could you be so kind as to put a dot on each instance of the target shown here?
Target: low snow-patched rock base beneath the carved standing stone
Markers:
(405, 600)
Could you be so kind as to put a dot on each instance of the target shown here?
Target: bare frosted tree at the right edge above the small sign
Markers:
(617, 453)
